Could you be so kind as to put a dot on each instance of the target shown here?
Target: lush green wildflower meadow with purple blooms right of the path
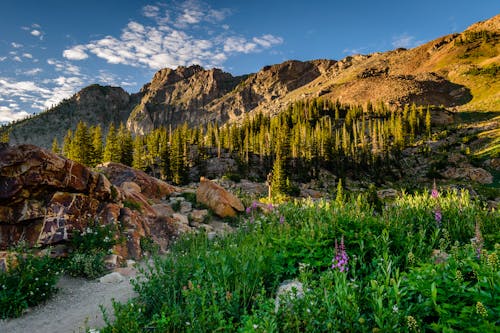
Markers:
(411, 267)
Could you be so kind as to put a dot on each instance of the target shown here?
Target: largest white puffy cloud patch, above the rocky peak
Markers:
(171, 42)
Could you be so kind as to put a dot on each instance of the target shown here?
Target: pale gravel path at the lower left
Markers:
(74, 308)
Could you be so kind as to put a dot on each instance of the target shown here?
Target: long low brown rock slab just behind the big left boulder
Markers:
(151, 187)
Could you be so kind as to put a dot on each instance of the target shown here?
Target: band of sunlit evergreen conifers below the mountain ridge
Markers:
(306, 137)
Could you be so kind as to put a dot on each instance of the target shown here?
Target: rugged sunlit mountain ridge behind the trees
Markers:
(458, 71)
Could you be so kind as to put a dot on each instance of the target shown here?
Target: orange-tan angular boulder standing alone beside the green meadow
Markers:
(222, 202)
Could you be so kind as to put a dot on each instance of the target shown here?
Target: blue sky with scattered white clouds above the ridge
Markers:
(51, 49)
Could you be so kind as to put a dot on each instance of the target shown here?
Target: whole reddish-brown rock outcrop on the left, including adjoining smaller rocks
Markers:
(45, 197)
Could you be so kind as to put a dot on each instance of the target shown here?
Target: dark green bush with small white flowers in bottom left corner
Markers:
(29, 282)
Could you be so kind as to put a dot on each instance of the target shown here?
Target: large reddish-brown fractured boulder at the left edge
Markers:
(44, 197)
